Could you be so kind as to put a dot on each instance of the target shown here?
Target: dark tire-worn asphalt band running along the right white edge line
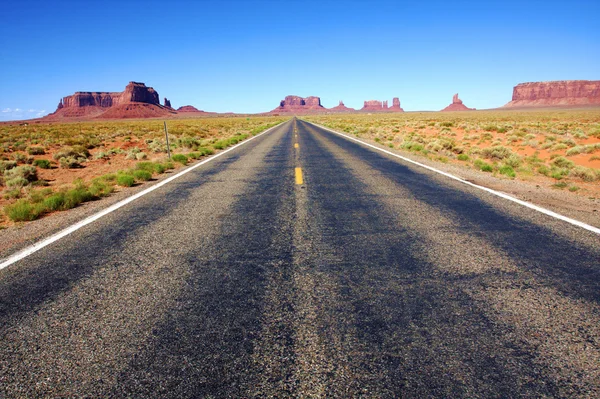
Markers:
(572, 265)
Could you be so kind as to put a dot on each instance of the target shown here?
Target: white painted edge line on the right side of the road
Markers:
(489, 190)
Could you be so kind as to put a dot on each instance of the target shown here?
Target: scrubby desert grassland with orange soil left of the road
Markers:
(68, 156)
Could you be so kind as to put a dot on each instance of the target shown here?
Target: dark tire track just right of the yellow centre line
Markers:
(417, 335)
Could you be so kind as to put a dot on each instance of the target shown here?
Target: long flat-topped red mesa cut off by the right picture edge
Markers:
(556, 93)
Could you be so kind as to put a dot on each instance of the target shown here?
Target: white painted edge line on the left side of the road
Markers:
(90, 219)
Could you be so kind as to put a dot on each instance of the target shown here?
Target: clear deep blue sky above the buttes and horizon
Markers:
(245, 56)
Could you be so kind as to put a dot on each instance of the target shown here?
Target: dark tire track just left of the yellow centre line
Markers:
(223, 338)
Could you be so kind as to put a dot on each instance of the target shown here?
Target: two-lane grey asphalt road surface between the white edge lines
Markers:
(372, 278)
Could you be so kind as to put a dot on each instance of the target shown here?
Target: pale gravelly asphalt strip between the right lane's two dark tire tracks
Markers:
(563, 332)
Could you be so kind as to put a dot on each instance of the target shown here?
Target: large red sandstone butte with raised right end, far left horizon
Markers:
(136, 101)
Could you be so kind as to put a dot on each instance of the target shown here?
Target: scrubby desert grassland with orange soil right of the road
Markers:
(548, 144)
